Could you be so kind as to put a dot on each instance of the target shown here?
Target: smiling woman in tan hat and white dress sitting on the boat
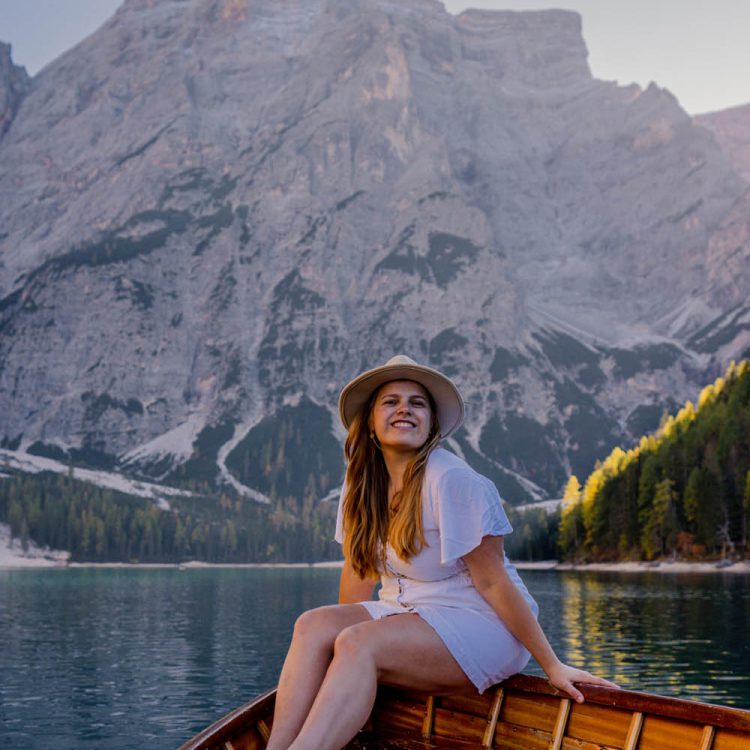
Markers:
(431, 529)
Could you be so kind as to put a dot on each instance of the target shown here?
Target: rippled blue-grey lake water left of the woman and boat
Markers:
(97, 658)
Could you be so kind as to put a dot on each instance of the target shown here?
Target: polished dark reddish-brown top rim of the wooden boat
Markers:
(724, 717)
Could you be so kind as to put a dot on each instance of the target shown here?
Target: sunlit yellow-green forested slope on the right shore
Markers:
(684, 490)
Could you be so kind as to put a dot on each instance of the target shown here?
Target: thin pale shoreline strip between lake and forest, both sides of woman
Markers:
(741, 567)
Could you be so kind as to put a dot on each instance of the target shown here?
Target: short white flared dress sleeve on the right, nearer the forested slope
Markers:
(469, 508)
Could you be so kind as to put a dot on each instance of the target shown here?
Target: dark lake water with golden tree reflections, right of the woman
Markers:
(681, 635)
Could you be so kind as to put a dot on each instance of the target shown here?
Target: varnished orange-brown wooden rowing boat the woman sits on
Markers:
(521, 713)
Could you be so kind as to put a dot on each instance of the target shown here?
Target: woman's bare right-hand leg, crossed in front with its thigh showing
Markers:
(402, 650)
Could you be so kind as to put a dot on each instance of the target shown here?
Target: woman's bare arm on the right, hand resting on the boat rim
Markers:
(486, 564)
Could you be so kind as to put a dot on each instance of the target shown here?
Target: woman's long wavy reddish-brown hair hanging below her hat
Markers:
(368, 522)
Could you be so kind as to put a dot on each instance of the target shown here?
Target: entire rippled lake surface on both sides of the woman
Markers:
(115, 659)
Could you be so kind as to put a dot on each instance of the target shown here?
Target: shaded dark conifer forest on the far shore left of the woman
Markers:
(100, 525)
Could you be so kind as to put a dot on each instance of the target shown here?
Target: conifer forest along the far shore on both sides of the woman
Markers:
(684, 490)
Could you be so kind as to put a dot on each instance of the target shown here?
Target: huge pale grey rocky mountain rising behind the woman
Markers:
(213, 213)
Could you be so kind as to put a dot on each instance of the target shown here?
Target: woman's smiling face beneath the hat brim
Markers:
(401, 416)
